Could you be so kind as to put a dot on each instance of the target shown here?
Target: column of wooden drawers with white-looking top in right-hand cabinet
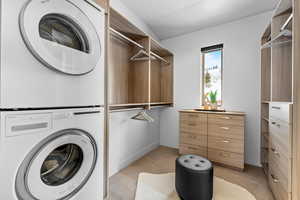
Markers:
(280, 150)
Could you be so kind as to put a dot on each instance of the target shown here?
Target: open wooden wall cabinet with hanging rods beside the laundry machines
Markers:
(140, 72)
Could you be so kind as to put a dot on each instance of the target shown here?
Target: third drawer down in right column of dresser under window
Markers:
(226, 144)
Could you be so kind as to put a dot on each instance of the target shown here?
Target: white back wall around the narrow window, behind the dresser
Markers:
(241, 86)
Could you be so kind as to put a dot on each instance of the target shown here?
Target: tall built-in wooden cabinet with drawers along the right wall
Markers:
(277, 100)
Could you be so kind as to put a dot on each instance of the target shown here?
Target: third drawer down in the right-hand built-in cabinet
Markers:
(278, 157)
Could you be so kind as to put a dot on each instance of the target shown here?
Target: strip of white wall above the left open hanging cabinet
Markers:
(132, 17)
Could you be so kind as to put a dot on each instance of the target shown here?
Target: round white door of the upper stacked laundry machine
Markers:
(60, 36)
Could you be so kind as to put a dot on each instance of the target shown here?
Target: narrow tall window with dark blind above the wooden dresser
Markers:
(212, 69)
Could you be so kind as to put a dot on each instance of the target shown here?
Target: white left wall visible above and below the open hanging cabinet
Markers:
(130, 139)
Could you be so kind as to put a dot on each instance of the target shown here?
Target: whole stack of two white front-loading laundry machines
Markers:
(51, 100)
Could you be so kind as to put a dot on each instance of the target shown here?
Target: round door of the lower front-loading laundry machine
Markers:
(58, 167)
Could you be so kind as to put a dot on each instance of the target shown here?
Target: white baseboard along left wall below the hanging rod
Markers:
(130, 159)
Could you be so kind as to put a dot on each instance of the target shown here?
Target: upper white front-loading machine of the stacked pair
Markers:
(52, 54)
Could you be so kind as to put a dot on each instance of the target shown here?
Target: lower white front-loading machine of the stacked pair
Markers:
(52, 154)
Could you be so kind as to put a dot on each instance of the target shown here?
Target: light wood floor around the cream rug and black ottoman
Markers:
(162, 160)
